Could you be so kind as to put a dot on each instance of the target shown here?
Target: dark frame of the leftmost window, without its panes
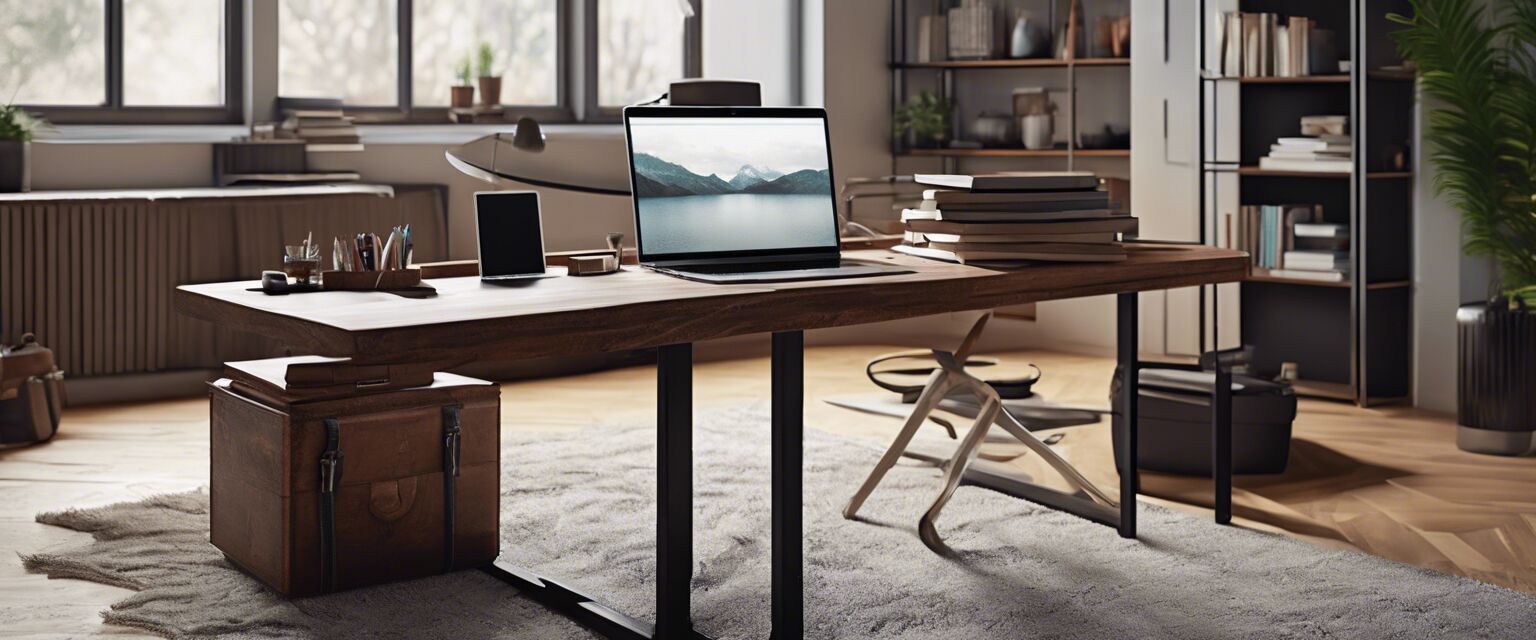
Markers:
(113, 111)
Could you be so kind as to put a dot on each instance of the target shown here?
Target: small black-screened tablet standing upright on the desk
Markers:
(511, 240)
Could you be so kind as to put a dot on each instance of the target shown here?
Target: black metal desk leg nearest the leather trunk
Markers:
(674, 490)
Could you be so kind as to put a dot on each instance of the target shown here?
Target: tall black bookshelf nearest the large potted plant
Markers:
(1351, 340)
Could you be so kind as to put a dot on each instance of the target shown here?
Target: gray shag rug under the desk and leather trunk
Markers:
(581, 507)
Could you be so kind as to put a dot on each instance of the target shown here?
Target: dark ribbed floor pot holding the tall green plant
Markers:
(1495, 401)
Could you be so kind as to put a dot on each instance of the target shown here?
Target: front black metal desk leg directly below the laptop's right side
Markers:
(789, 441)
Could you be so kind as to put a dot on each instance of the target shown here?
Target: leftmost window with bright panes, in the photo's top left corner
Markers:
(122, 61)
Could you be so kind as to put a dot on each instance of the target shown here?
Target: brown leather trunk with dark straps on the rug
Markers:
(397, 507)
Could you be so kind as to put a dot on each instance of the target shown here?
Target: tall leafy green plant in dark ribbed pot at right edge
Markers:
(1477, 59)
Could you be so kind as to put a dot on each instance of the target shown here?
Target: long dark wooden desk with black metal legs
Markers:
(640, 309)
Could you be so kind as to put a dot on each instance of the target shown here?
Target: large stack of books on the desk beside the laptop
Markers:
(1013, 219)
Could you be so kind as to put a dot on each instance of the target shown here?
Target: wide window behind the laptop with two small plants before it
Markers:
(353, 50)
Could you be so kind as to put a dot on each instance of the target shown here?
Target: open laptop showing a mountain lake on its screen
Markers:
(737, 194)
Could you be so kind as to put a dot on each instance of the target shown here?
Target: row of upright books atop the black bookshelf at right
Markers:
(1270, 45)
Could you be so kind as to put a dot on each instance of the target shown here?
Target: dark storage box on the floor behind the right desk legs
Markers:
(1176, 423)
